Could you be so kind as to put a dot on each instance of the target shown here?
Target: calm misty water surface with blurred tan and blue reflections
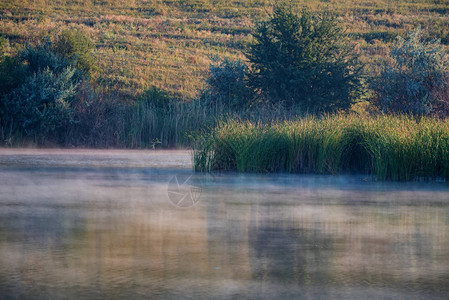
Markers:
(138, 224)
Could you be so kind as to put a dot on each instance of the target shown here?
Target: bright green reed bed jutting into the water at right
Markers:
(397, 148)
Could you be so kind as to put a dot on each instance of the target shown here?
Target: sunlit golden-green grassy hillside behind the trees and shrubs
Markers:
(168, 44)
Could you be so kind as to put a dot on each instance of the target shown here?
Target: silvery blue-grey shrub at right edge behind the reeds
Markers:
(415, 81)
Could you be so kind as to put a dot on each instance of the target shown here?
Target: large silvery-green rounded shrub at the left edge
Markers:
(39, 89)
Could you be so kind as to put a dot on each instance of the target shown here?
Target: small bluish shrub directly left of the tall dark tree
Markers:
(227, 83)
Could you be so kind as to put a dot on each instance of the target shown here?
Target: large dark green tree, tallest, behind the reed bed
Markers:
(304, 60)
